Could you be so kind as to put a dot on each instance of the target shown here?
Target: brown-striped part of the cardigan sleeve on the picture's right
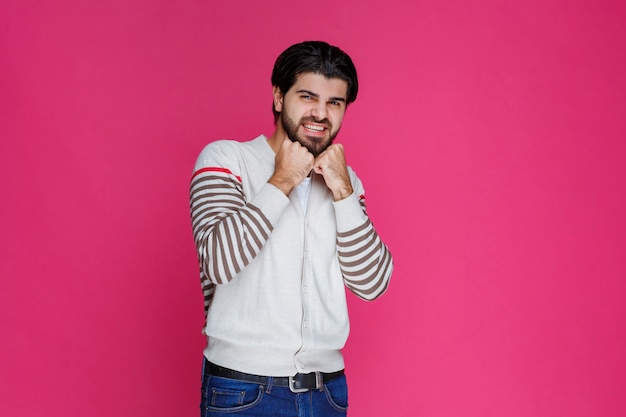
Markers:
(365, 261)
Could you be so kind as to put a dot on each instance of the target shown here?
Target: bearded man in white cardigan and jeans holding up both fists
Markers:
(280, 227)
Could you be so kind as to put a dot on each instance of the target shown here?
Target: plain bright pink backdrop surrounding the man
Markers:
(490, 137)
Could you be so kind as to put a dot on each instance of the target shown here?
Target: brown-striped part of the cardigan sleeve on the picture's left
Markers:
(228, 232)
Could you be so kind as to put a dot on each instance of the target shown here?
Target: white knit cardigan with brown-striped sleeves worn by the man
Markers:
(273, 277)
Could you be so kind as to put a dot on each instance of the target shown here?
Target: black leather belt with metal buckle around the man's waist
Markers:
(296, 383)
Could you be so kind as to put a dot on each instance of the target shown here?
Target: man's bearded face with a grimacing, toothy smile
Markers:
(312, 110)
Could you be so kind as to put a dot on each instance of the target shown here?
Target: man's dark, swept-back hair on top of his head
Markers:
(316, 57)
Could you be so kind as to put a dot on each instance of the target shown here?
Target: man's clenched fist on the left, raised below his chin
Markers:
(293, 163)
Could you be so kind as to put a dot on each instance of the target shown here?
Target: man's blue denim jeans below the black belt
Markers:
(230, 397)
